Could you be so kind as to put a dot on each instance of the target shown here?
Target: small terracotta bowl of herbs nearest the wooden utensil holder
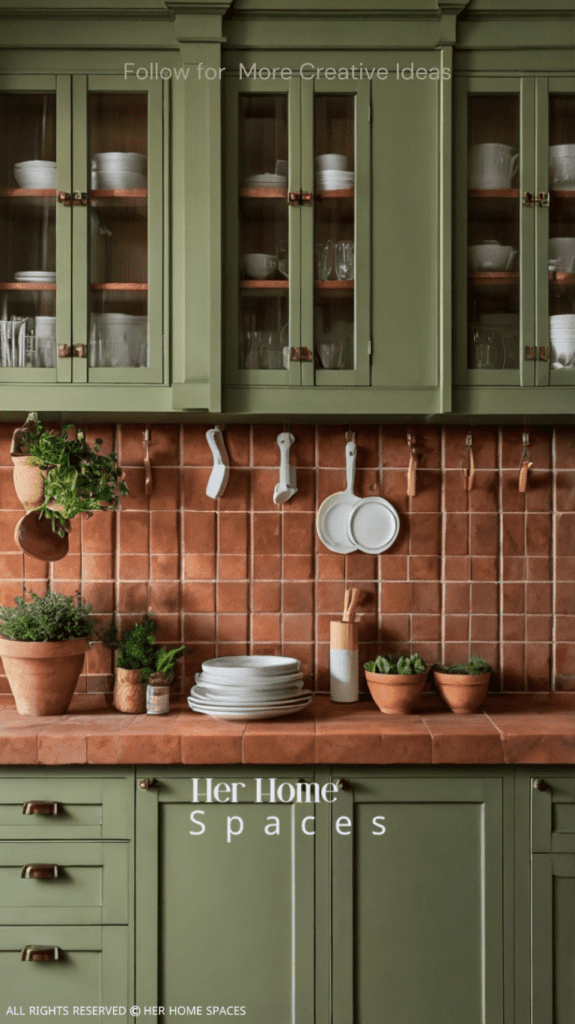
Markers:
(396, 684)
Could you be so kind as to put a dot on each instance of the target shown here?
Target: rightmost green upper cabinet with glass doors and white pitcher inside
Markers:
(515, 245)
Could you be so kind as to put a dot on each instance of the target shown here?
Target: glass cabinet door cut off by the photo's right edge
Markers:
(556, 234)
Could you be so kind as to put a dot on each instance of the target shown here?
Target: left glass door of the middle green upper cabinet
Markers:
(262, 232)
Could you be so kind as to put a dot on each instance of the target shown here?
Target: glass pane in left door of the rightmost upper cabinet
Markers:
(494, 225)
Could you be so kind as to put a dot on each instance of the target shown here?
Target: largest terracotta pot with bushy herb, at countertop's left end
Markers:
(43, 642)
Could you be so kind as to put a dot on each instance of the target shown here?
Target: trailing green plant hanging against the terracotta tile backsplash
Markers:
(78, 478)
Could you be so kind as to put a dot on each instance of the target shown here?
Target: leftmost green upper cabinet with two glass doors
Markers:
(82, 266)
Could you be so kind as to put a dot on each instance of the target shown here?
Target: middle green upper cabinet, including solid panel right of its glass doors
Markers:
(333, 207)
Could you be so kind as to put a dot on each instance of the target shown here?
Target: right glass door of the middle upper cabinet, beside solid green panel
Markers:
(339, 148)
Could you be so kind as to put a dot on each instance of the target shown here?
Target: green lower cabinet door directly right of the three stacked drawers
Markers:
(225, 901)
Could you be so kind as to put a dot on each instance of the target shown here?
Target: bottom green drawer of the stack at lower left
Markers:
(93, 969)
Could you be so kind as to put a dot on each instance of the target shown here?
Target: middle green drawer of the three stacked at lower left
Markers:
(83, 883)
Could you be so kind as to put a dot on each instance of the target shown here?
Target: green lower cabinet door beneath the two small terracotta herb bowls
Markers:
(418, 902)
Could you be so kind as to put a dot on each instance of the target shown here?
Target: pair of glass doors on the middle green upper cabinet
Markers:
(298, 187)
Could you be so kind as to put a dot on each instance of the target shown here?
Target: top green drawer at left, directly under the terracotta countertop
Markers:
(65, 808)
